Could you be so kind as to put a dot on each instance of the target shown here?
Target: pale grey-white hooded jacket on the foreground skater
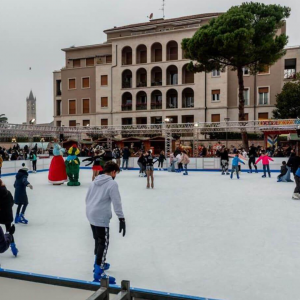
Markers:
(103, 192)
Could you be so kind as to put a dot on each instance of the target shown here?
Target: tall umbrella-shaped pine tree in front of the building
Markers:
(245, 36)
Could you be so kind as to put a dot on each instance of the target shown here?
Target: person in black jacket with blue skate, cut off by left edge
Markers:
(6, 213)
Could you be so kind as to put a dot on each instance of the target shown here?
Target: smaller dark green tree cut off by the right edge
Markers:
(288, 101)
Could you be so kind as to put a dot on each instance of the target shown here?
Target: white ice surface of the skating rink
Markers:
(202, 234)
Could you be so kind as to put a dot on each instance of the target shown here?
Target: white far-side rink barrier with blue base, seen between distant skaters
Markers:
(207, 164)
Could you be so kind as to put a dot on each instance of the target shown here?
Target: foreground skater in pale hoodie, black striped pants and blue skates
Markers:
(102, 193)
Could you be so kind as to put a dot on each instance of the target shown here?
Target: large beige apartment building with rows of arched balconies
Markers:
(139, 76)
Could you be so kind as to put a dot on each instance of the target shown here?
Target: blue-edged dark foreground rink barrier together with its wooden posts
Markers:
(102, 292)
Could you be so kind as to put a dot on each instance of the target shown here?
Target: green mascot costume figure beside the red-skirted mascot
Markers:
(72, 165)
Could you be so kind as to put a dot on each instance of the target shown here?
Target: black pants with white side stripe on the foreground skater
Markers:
(101, 237)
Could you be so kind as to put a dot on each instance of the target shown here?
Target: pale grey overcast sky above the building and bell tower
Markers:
(33, 32)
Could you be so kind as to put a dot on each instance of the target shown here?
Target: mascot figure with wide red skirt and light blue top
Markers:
(57, 171)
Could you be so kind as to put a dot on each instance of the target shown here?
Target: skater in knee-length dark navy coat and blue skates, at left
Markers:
(21, 198)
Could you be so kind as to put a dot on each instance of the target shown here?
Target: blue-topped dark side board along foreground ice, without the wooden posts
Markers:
(92, 286)
